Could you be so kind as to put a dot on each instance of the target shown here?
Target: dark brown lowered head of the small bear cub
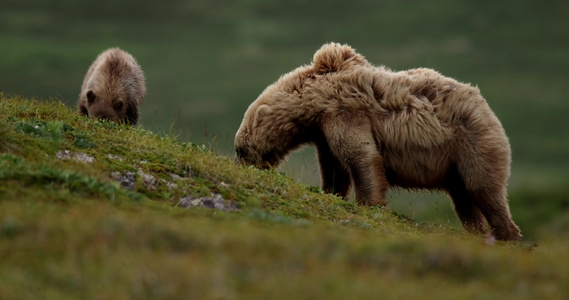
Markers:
(108, 106)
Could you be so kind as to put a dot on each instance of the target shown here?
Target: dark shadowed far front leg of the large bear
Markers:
(335, 178)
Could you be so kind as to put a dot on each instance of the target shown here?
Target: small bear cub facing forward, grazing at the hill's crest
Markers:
(113, 88)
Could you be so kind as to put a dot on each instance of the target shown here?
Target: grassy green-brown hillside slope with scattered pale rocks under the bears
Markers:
(96, 210)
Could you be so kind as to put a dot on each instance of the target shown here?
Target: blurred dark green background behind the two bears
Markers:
(205, 61)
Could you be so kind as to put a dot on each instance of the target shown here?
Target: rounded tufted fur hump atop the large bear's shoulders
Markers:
(335, 57)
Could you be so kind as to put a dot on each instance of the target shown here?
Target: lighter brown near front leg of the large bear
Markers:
(352, 142)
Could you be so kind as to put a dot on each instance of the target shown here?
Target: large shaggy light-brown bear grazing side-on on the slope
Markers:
(379, 129)
